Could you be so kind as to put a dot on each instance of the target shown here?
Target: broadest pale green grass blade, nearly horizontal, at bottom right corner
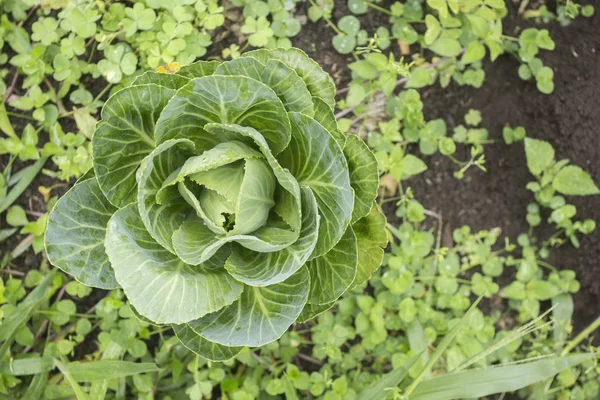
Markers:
(482, 382)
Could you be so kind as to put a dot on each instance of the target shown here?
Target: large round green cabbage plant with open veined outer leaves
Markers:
(223, 201)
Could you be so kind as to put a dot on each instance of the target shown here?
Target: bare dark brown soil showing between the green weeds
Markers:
(568, 118)
